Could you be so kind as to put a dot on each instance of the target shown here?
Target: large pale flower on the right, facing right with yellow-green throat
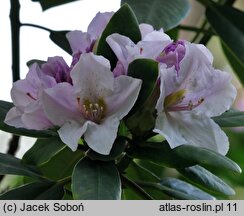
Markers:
(190, 94)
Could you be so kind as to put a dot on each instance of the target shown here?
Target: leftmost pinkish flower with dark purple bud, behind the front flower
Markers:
(28, 112)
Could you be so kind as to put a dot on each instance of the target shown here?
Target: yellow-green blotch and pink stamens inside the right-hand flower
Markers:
(175, 102)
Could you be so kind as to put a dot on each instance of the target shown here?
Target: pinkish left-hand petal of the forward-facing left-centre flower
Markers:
(60, 104)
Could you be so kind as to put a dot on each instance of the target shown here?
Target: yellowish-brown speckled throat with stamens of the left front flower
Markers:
(93, 111)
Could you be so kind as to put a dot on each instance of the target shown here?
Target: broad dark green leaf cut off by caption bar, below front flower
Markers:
(93, 180)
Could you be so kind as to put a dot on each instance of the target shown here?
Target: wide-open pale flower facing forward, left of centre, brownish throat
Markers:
(93, 106)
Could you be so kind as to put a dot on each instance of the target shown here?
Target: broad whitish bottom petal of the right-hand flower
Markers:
(181, 128)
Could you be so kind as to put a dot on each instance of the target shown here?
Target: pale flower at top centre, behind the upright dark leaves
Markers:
(151, 46)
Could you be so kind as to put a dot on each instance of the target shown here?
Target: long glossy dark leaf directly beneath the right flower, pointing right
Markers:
(182, 156)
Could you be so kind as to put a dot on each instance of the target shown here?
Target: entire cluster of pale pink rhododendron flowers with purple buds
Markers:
(88, 98)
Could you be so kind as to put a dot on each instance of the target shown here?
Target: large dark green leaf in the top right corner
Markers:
(223, 17)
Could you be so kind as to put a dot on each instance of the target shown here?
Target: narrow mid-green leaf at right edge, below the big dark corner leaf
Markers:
(235, 62)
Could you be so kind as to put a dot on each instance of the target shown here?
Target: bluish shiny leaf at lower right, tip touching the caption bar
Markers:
(181, 190)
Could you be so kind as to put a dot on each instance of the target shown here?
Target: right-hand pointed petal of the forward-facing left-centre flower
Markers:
(126, 90)
